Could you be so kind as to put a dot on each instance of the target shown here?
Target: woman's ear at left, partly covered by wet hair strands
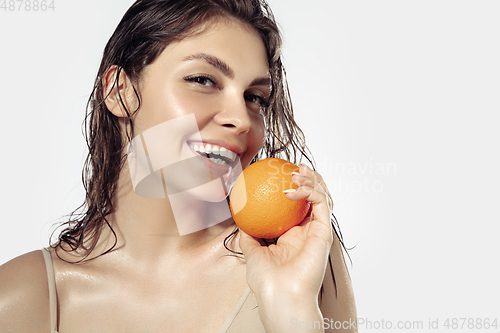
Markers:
(110, 89)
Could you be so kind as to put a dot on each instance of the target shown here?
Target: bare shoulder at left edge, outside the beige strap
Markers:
(24, 294)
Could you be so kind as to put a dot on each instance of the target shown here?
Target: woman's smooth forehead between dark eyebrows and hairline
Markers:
(235, 43)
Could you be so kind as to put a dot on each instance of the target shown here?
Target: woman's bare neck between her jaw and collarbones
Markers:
(149, 229)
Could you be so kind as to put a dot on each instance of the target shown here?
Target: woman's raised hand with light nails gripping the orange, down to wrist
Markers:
(297, 263)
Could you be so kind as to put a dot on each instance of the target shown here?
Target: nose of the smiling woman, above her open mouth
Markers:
(234, 115)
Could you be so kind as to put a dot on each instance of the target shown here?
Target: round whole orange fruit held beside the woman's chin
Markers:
(258, 204)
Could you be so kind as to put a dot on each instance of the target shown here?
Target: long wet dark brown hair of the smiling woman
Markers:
(140, 37)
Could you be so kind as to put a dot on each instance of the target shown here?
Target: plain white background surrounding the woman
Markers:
(398, 101)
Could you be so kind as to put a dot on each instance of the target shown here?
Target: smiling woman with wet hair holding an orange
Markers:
(124, 265)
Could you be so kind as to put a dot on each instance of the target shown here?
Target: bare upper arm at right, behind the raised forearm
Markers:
(337, 304)
